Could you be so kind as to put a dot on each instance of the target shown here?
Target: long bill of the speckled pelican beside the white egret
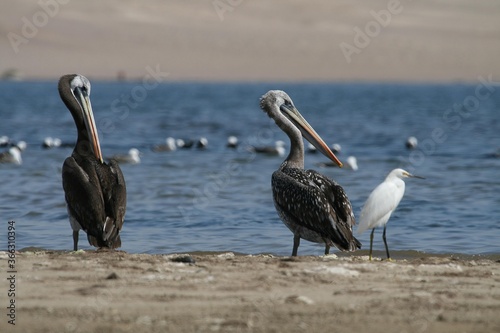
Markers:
(308, 132)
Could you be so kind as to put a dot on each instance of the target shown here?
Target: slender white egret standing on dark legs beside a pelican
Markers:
(381, 203)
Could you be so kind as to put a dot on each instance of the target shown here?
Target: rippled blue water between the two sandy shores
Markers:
(219, 199)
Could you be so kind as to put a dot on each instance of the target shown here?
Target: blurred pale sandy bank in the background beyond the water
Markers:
(238, 40)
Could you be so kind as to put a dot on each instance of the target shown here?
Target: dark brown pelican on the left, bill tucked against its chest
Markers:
(95, 191)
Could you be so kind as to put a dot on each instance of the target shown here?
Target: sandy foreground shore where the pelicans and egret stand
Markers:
(114, 291)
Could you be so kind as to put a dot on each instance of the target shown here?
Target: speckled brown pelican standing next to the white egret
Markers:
(311, 205)
